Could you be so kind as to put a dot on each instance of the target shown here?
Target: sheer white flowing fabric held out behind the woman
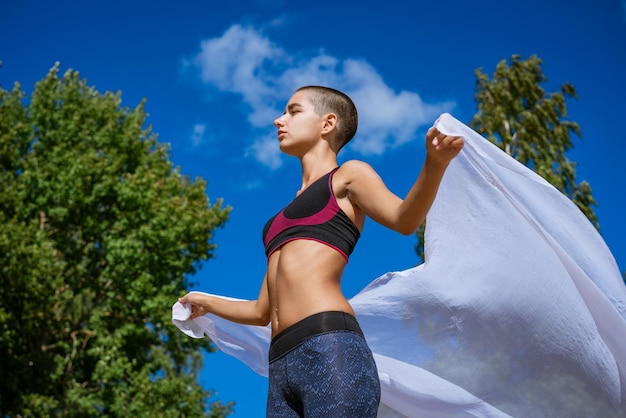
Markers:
(519, 309)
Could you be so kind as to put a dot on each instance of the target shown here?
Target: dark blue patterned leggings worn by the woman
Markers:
(329, 374)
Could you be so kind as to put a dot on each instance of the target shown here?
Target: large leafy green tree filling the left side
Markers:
(99, 233)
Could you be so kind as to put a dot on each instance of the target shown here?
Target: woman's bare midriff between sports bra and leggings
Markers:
(304, 278)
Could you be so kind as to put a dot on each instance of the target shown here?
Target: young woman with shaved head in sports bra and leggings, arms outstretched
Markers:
(320, 364)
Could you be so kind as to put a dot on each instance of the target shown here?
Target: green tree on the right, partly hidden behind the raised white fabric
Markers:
(531, 125)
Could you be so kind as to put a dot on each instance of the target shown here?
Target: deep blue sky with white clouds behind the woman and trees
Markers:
(215, 75)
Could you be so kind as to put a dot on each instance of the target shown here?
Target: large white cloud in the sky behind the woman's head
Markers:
(246, 62)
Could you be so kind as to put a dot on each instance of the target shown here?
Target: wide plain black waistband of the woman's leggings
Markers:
(318, 323)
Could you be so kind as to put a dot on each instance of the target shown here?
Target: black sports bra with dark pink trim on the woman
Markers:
(314, 215)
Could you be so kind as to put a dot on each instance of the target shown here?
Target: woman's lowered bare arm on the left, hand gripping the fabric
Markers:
(248, 312)
